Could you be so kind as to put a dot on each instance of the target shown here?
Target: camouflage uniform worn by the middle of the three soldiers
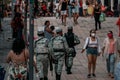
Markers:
(58, 56)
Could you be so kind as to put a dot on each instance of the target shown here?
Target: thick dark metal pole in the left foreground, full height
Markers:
(31, 31)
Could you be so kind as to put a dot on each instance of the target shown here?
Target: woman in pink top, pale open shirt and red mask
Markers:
(110, 49)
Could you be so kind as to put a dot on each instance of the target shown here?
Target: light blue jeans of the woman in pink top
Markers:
(110, 63)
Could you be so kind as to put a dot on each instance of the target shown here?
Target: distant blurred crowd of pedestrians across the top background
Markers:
(67, 8)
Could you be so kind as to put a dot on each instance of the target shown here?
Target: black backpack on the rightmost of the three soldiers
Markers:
(70, 39)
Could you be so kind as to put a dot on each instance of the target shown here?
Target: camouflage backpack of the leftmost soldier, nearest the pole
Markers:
(41, 46)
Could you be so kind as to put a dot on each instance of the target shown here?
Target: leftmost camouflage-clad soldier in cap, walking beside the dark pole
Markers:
(42, 55)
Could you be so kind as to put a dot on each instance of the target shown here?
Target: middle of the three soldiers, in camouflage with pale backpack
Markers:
(58, 48)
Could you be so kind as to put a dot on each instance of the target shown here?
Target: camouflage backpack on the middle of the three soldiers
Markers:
(58, 44)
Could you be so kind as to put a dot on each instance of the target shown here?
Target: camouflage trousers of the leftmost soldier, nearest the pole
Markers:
(42, 65)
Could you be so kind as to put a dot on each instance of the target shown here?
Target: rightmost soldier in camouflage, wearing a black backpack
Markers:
(72, 41)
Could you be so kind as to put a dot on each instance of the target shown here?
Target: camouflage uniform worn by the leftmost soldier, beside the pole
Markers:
(42, 60)
